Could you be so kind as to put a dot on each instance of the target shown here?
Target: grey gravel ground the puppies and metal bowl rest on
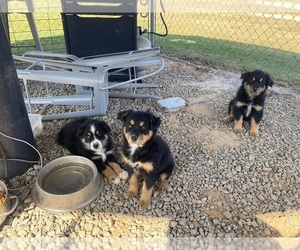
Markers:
(226, 184)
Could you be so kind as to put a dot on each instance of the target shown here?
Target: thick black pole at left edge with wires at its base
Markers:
(14, 121)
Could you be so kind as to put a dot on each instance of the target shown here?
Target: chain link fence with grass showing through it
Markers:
(235, 35)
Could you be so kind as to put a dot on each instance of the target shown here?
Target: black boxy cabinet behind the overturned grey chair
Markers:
(97, 34)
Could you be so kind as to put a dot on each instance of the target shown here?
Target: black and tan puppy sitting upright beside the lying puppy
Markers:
(146, 153)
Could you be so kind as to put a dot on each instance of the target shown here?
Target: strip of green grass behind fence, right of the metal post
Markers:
(282, 65)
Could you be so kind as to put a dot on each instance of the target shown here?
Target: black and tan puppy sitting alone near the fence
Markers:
(248, 104)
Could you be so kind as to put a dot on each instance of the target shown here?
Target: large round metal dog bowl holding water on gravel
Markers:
(66, 184)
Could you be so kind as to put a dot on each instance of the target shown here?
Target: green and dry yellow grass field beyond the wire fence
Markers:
(232, 41)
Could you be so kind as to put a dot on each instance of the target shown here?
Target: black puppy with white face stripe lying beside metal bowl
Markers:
(90, 138)
